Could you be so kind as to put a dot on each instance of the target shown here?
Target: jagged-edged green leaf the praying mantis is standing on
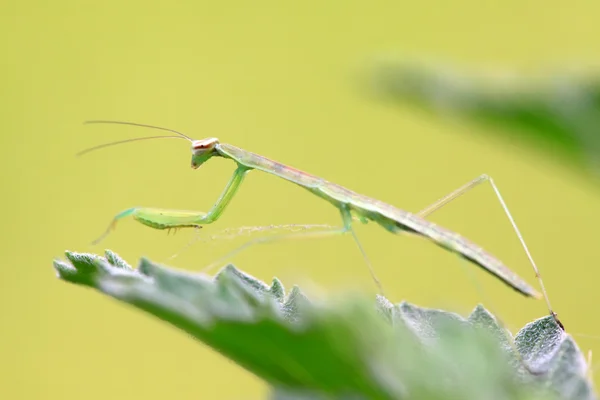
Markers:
(349, 347)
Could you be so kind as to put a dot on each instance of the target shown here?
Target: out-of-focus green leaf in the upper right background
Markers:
(560, 113)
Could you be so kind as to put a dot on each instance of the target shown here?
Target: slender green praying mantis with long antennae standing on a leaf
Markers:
(351, 206)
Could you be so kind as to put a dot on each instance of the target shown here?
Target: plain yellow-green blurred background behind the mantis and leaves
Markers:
(280, 79)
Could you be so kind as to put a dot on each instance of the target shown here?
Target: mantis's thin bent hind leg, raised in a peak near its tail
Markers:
(472, 184)
